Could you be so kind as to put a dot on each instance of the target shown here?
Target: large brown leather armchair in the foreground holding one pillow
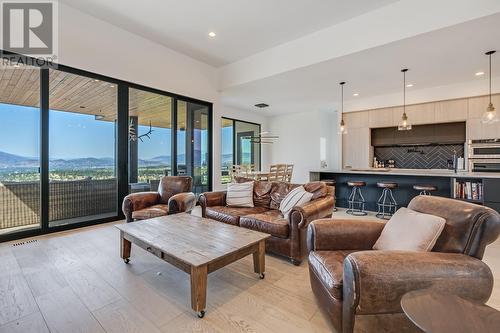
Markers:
(361, 289)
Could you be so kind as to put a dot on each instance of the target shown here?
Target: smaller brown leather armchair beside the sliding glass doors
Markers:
(174, 196)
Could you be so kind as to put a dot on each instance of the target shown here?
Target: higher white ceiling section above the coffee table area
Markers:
(243, 27)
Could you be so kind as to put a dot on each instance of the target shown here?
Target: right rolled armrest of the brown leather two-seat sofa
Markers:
(312, 210)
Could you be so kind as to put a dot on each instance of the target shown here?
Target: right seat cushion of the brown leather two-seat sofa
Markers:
(270, 222)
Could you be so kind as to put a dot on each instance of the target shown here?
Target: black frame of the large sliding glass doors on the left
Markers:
(121, 141)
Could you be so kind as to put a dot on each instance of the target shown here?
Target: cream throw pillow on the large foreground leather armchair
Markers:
(408, 230)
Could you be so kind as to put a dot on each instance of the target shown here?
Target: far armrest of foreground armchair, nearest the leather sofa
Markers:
(343, 234)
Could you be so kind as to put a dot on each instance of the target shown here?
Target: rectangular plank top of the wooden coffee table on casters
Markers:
(192, 239)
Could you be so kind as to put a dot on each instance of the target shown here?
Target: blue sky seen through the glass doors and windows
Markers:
(73, 135)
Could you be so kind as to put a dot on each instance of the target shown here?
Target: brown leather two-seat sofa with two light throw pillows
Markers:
(287, 235)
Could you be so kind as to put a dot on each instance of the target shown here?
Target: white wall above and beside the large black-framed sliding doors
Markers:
(88, 43)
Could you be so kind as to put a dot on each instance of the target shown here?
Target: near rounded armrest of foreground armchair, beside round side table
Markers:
(375, 281)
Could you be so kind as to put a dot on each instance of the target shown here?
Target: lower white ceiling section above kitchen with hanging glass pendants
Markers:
(443, 57)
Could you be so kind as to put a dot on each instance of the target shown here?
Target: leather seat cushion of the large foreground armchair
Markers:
(329, 268)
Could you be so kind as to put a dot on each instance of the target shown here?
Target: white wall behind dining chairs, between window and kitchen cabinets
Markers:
(299, 140)
